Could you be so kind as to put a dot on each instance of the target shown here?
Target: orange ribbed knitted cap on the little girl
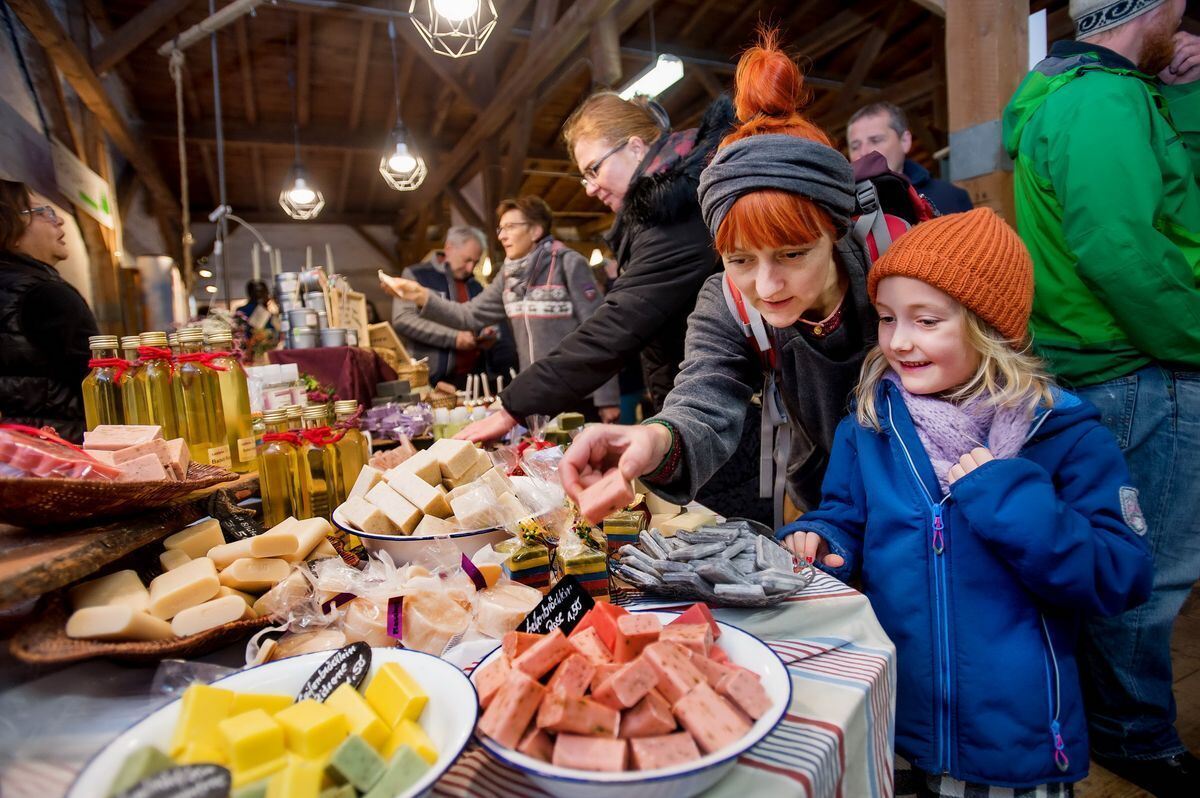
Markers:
(976, 259)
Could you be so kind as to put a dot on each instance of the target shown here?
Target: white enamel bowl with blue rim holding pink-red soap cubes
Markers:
(679, 782)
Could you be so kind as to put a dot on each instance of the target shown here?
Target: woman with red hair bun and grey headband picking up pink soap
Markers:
(778, 200)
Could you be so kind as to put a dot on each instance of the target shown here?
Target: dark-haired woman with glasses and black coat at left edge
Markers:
(45, 323)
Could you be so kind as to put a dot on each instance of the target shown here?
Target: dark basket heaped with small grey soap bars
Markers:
(727, 565)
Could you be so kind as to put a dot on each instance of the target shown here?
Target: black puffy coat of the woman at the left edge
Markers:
(45, 326)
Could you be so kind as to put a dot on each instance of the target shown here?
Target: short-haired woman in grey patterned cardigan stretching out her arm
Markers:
(545, 291)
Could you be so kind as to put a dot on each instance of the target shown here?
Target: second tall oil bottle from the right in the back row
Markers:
(199, 403)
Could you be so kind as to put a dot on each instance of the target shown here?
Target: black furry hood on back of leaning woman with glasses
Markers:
(669, 195)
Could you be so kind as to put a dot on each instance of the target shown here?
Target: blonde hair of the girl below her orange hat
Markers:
(1009, 374)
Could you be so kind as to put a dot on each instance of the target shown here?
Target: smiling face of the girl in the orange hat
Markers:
(923, 335)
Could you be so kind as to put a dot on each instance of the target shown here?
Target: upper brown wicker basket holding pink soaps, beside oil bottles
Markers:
(32, 502)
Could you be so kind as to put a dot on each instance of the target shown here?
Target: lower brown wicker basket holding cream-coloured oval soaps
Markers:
(45, 641)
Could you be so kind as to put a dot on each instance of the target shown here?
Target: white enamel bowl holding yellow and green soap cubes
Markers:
(449, 717)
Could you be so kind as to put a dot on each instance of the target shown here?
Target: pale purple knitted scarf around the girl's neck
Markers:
(950, 431)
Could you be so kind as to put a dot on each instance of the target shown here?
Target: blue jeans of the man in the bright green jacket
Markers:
(1126, 661)
